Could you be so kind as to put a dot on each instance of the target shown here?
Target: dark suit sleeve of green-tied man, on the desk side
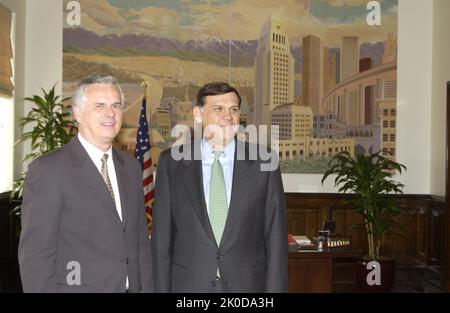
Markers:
(275, 231)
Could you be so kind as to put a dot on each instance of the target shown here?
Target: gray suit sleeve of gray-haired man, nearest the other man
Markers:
(145, 259)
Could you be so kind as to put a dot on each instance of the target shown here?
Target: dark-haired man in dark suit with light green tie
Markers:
(219, 220)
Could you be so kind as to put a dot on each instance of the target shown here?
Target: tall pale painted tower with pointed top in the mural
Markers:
(274, 72)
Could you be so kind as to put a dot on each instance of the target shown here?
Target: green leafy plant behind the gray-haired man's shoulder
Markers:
(52, 128)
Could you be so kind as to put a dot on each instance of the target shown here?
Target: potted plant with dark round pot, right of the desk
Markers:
(370, 179)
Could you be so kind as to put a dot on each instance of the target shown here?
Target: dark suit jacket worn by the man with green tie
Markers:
(253, 253)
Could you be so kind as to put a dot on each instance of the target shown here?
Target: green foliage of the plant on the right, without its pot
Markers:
(369, 177)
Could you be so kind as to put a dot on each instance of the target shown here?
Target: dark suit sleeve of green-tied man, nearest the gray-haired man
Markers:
(162, 230)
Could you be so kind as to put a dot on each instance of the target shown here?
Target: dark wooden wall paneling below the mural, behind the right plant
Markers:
(307, 212)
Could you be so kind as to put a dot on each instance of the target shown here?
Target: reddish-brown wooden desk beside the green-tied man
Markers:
(311, 270)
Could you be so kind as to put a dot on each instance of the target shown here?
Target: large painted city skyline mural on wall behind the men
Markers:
(315, 68)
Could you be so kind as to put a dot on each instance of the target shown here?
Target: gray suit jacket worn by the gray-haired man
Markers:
(70, 224)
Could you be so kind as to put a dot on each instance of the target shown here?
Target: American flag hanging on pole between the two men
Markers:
(142, 153)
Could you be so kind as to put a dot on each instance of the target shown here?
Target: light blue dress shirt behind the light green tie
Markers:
(227, 162)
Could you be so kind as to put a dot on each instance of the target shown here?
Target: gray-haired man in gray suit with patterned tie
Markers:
(83, 216)
